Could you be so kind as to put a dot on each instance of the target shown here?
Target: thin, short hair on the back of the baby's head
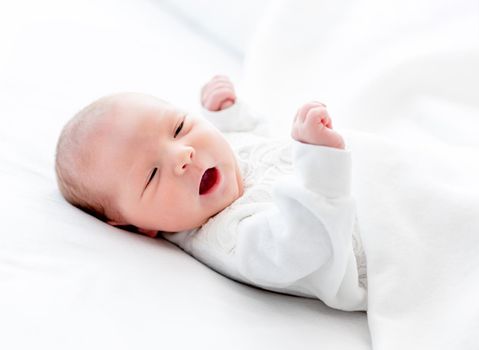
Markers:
(74, 160)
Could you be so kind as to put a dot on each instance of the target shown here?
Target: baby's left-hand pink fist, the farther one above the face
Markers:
(218, 93)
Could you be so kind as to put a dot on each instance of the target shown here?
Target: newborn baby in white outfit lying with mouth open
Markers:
(136, 161)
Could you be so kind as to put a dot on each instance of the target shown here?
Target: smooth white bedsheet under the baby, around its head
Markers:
(68, 281)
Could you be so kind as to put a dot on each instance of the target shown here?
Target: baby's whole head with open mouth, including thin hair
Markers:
(133, 159)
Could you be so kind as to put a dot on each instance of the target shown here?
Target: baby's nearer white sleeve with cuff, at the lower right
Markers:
(308, 230)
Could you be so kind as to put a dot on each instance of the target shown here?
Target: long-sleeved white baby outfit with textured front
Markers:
(294, 229)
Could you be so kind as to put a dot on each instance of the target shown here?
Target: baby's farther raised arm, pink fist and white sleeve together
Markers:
(223, 109)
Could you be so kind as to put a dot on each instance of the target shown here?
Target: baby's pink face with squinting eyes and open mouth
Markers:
(167, 169)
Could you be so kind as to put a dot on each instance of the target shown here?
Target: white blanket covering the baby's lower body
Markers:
(418, 210)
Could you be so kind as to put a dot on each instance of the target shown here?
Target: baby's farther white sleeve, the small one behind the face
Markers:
(237, 118)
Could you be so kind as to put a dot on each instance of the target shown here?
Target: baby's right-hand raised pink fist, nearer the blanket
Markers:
(313, 125)
